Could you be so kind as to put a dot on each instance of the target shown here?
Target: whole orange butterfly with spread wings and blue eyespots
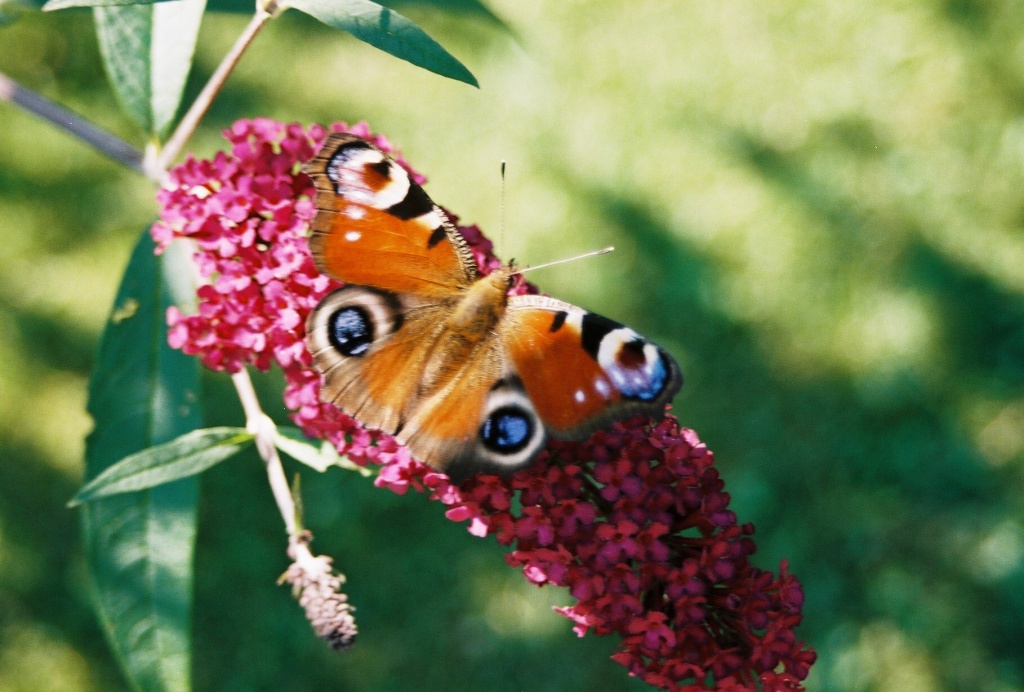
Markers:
(422, 347)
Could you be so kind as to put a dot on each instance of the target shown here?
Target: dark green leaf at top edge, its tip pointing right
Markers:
(386, 29)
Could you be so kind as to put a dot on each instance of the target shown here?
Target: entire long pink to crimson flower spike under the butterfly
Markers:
(634, 522)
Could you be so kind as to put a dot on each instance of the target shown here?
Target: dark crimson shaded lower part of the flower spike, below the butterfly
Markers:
(634, 523)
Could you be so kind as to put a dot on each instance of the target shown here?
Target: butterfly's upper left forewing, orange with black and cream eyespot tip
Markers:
(375, 227)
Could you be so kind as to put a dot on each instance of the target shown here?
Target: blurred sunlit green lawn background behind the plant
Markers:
(819, 209)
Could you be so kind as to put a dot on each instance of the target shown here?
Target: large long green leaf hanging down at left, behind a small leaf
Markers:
(140, 547)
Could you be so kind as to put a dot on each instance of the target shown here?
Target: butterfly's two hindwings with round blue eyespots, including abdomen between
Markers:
(393, 362)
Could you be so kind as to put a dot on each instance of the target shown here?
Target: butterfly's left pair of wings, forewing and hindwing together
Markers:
(405, 267)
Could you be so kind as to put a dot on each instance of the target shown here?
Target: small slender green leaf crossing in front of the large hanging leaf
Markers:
(187, 456)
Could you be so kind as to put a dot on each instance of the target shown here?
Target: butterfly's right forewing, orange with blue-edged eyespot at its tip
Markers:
(583, 371)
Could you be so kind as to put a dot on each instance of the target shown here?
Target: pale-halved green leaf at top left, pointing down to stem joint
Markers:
(148, 54)
